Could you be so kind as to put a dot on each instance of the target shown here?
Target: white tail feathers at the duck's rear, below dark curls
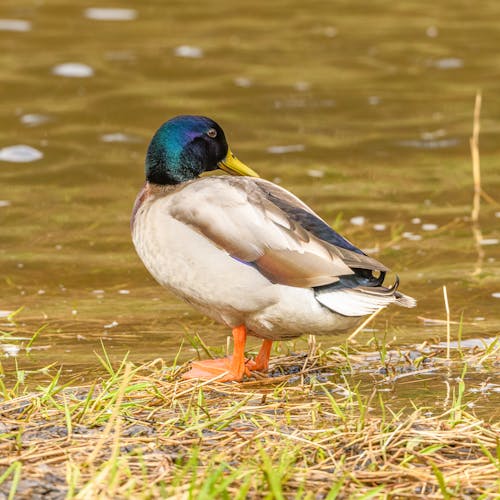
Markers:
(360, 302)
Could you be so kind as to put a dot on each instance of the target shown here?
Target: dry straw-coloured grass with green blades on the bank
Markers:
(304, 433)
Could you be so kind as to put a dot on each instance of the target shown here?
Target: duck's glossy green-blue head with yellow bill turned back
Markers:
(185, 147)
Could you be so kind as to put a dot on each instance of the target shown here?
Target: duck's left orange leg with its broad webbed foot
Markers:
(231, 368)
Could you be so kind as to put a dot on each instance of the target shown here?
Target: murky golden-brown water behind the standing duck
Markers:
(361, 110)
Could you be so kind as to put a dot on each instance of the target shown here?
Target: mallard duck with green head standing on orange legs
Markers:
(244, 251)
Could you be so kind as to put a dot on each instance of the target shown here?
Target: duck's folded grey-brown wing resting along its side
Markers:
(246, 220)
